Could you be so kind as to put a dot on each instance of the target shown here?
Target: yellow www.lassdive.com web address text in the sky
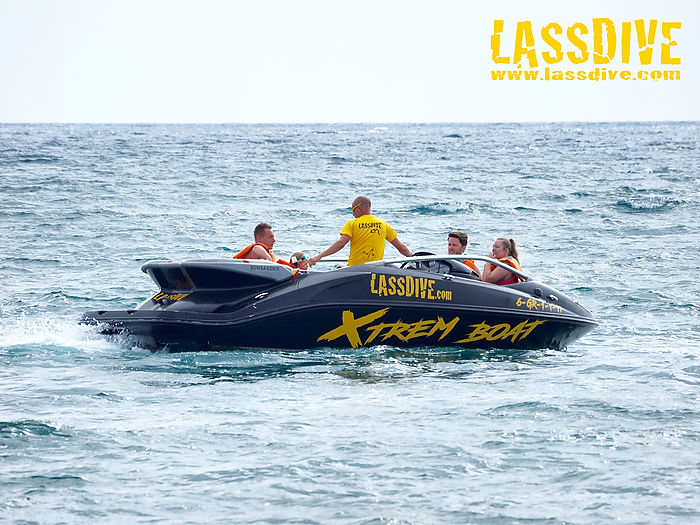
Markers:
(597, 74)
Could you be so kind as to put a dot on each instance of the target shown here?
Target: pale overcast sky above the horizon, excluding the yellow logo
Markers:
(319, 61)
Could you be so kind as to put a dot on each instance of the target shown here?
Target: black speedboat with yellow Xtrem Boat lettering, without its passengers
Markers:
(422, 301)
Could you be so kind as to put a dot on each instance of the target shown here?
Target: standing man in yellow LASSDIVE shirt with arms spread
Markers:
(366, 235)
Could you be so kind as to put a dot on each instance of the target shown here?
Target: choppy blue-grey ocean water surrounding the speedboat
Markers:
(96, 429)
